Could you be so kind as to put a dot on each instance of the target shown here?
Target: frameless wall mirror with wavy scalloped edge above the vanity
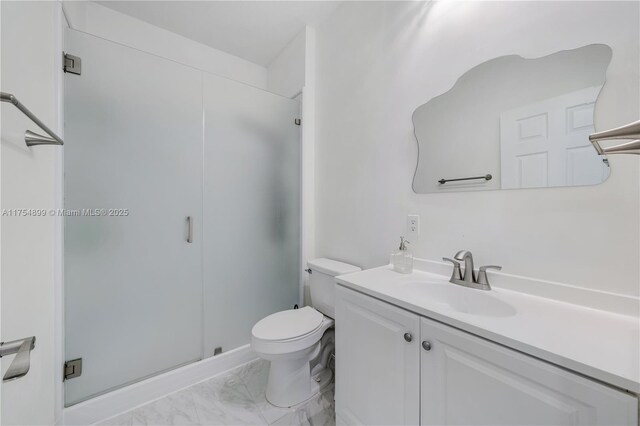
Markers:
(514, 122)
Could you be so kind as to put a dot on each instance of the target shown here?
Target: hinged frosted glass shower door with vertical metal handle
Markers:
(133, 284)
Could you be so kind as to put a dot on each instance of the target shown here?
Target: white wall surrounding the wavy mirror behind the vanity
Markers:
(377, 61)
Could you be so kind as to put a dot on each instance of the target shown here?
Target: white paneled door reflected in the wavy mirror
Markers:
(546, 143)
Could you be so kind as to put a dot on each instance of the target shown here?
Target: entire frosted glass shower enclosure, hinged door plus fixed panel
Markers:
(182, 204)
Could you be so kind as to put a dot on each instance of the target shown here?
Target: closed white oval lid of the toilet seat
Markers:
(289, 324)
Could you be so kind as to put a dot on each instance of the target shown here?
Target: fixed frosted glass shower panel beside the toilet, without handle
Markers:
(251, 209)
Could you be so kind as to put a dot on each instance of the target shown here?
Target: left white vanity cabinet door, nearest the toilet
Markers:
(377, 362)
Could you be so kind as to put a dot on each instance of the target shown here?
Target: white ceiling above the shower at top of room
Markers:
(253, 30)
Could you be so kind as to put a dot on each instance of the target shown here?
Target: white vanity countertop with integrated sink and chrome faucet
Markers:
(595, 343)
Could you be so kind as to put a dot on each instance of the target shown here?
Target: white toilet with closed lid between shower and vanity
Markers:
(299, 342)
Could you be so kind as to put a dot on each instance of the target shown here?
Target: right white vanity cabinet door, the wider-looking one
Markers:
(469, 380)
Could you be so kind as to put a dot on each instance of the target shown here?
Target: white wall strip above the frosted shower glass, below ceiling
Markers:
(103, 22)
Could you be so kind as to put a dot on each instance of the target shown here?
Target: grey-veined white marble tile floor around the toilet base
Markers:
(233, 398)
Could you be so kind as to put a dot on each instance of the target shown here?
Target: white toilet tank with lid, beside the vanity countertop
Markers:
(322, 282)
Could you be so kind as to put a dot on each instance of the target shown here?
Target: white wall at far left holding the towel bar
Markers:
(30, 70)
